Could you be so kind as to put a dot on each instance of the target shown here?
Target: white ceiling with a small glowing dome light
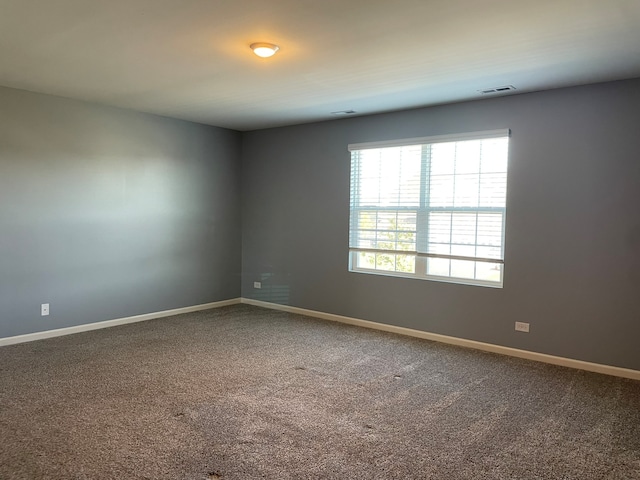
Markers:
(190, 59)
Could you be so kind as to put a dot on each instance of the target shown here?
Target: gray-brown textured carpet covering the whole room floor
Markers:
(242, 392)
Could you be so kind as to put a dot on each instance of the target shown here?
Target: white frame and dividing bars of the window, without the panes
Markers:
(422, 223)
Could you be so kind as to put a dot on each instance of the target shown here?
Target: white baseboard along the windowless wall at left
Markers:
(29, 337)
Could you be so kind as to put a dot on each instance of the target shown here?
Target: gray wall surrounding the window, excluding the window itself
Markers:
(572, 261)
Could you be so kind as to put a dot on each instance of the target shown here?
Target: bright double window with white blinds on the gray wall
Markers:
(430, 208)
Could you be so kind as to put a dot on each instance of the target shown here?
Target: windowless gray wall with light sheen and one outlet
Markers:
(106, 213)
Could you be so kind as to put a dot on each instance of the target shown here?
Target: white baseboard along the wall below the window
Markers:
(487, 347)
